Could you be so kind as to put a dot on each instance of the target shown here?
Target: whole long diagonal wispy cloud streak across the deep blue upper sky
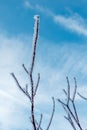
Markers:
(74, 23)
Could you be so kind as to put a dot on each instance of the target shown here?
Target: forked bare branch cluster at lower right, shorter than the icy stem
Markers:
(72, 115)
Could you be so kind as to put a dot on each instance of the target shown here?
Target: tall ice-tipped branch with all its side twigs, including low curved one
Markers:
(31, 95)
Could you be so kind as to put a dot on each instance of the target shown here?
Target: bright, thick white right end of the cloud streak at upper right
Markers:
(74, 23)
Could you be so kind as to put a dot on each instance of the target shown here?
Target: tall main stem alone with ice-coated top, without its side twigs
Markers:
(35, 37)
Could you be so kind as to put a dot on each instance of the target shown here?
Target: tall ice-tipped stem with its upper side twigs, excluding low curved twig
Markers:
(29, 73)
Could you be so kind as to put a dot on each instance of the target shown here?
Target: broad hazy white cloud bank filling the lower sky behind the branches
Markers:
(57, 62)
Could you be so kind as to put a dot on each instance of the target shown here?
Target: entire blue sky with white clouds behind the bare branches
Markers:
(61, 52)
